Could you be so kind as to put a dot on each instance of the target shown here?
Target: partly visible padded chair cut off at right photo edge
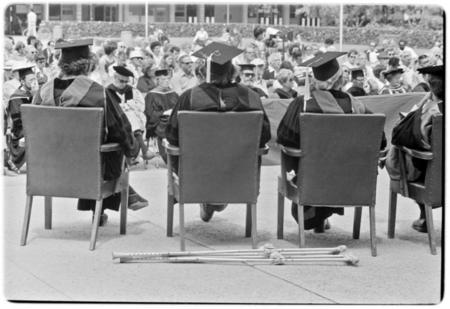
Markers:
(428, 192)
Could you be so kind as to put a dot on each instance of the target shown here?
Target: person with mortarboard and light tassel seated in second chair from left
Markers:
(218, 93)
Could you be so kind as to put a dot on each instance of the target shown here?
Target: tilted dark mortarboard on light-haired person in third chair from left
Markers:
(324, 65)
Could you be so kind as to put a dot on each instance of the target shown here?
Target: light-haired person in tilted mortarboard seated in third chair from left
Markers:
(325, 97)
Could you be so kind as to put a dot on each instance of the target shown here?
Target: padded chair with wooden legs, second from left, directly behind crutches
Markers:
(218, 158)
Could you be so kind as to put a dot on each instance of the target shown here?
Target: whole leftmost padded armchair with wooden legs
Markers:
(63, 151)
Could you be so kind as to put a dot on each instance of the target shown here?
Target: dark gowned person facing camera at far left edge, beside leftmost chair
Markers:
(16, 152)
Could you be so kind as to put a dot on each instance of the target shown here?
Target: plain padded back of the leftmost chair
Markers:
(63, 151)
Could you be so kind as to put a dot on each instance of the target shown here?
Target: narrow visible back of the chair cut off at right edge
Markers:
(433, 177)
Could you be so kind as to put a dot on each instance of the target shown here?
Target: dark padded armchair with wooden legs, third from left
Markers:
(338, 160)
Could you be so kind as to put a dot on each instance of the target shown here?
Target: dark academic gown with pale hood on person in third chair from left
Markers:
(288, 134)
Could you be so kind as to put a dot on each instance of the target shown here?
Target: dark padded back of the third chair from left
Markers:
(339, 158)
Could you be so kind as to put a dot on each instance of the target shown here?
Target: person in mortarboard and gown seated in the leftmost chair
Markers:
(73, 88)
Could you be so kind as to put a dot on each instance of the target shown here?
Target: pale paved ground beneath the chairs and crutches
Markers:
(56, 265)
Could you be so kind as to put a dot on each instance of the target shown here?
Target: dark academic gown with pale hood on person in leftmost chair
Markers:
(83, 92)
